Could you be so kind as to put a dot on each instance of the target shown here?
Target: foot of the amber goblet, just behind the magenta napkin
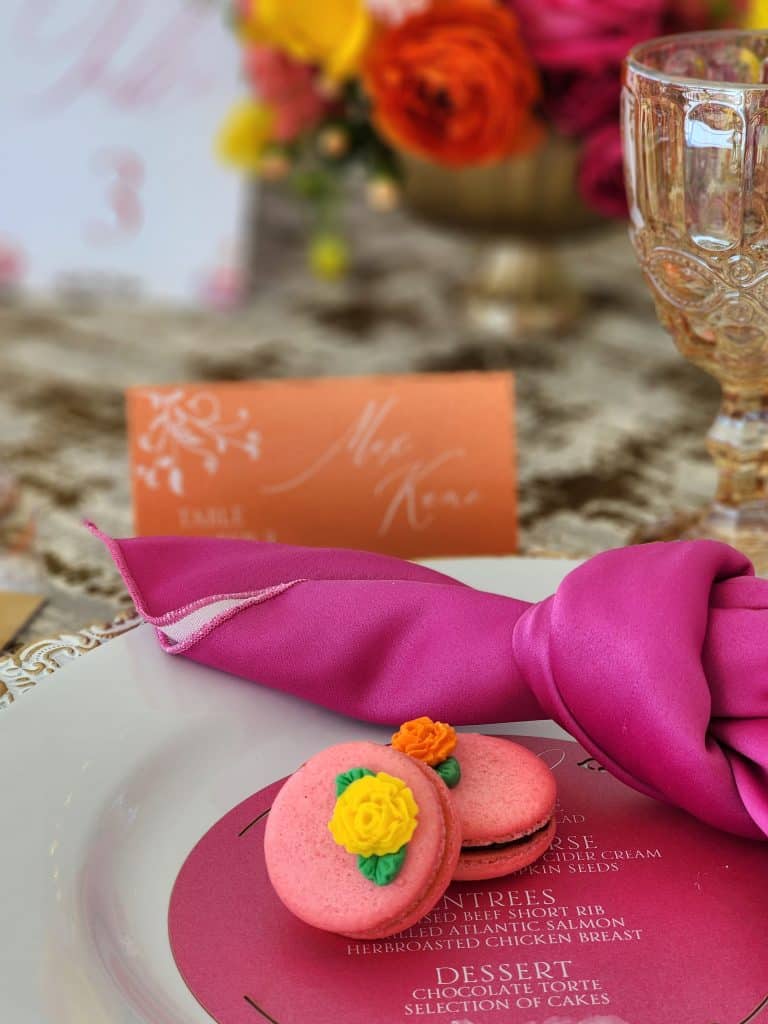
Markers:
(746, 530)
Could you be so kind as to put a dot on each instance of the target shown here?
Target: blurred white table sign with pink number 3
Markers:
(110, 110)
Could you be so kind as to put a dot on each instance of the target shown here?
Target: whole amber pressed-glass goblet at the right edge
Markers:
(696, 141)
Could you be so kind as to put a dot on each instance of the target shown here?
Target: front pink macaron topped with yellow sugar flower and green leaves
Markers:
(362, 841)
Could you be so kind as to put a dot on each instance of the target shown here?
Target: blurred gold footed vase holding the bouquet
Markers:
(517, 212)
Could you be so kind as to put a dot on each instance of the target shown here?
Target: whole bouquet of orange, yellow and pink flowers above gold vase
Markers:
(345, 84)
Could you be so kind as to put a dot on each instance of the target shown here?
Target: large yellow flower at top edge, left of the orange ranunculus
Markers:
(333, 34)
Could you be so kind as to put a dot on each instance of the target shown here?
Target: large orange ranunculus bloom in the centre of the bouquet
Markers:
(455, 84)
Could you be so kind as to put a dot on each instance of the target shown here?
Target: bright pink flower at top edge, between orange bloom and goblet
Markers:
(579, 35)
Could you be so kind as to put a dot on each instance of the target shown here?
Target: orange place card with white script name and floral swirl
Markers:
(412, 466)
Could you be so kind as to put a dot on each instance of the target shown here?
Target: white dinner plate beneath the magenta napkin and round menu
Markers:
(111, 773)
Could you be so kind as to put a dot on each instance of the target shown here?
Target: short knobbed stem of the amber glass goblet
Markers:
(739, 445)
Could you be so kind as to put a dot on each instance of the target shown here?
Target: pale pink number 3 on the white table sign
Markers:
(122, 173)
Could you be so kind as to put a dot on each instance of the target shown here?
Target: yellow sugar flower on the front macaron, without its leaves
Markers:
(375, 816)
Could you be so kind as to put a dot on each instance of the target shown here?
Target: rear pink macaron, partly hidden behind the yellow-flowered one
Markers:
(506, 803)
